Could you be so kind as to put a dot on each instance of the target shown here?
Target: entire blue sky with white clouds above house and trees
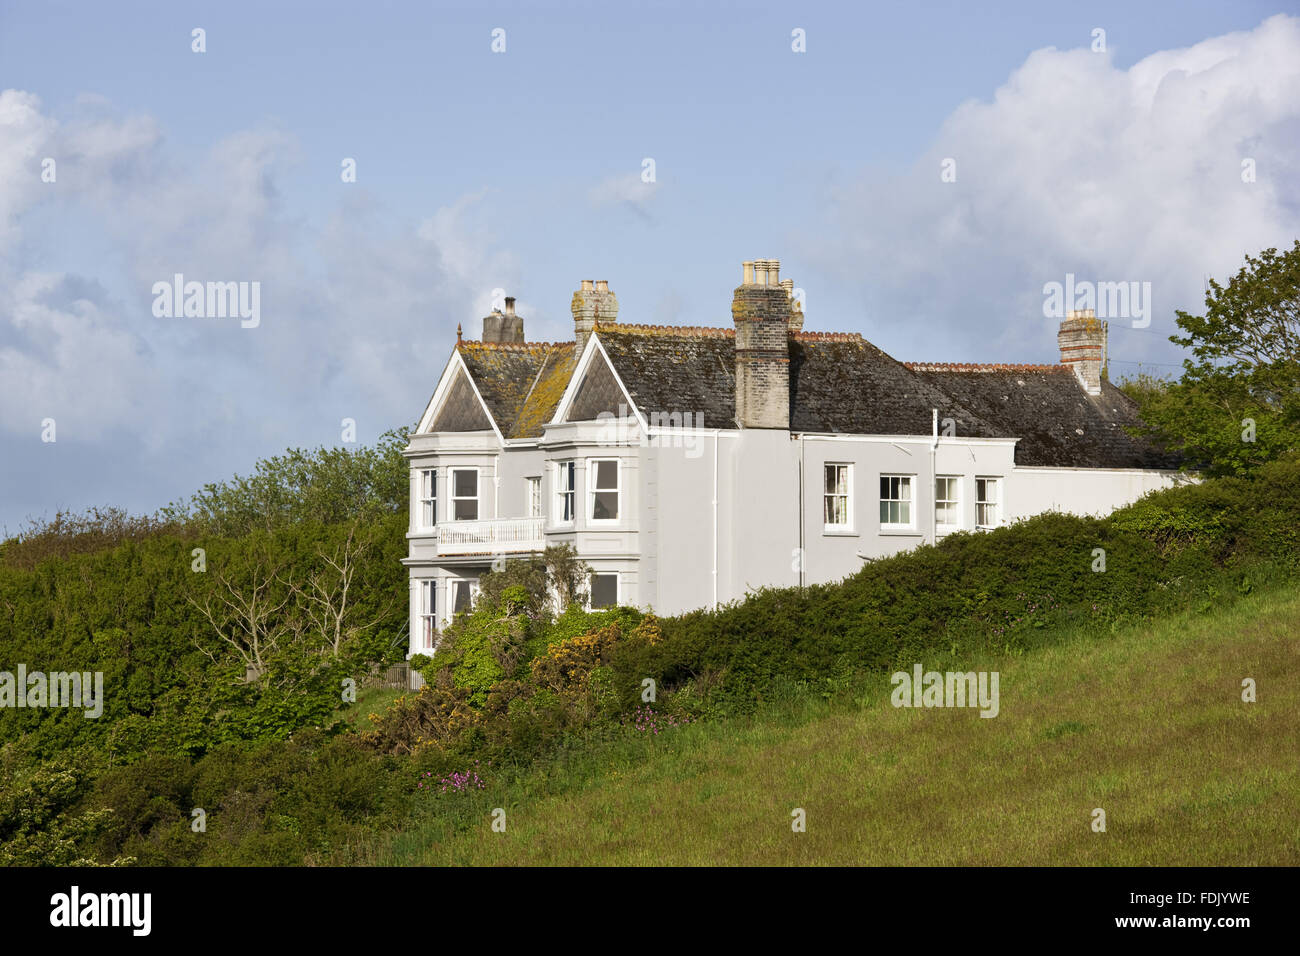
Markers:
(523, 171)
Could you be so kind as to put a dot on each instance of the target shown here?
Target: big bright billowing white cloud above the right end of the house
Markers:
(1077, 166)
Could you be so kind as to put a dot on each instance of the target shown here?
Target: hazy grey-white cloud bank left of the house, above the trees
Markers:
(357, 313)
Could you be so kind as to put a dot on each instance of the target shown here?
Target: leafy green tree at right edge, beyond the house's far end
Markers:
(1238, 404)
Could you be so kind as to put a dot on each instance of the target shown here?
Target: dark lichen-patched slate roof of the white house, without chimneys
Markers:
(839, 384)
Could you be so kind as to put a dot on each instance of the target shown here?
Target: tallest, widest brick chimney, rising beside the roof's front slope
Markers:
(761, 309)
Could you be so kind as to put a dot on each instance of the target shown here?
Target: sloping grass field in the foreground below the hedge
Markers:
(1149, 725)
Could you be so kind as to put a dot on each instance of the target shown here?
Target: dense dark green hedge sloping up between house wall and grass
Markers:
(1180, 548)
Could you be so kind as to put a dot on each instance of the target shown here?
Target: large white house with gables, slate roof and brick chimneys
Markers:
(691, 465)
